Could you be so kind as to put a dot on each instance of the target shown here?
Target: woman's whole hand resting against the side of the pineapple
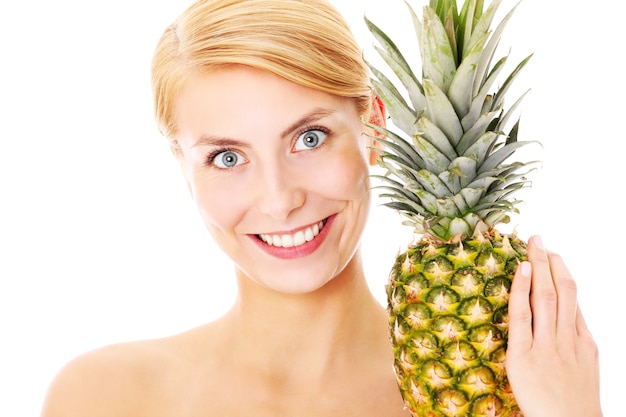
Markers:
(552, 360)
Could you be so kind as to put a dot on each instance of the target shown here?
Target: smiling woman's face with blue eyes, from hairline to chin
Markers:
(279, 173)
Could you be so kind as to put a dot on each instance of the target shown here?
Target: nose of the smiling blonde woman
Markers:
(280, 191)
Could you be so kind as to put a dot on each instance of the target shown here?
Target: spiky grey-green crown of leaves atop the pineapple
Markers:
(447, 169)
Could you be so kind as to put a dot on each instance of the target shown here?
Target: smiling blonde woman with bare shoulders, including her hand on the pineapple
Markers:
(263, 102)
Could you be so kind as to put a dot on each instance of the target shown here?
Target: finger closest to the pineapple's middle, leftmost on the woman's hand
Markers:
(520, 314)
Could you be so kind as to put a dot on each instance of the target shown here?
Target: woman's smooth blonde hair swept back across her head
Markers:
(304, 41)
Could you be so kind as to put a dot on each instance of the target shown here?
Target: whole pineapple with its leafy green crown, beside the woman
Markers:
(448, 171)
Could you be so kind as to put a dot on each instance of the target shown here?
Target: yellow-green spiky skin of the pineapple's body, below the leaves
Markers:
(447, 307)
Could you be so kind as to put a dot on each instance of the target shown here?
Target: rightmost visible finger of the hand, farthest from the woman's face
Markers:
(566, 298)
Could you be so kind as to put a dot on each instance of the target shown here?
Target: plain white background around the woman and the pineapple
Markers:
(99, 241)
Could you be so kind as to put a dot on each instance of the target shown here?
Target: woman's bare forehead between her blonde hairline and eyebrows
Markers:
(228, 100)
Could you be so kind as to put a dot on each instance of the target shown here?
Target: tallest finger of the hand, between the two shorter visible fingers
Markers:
(543, 295)
